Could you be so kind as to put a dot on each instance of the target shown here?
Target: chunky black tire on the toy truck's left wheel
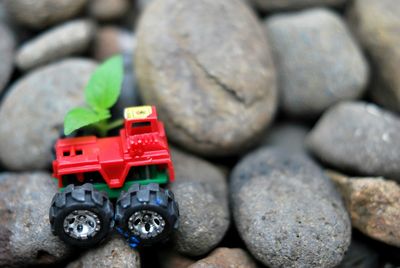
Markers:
(88, 201)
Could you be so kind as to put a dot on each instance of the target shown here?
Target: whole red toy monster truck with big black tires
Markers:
(92, 171)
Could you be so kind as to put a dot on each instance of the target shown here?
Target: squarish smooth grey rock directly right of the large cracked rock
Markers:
(318, 62)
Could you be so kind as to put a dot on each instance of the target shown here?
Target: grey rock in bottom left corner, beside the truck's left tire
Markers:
(25, 235)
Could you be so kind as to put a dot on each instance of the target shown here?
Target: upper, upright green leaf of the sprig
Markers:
(104, 86)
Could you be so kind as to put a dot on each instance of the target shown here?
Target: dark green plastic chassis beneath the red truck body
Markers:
(160, 177)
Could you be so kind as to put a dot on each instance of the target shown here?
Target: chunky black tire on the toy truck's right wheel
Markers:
(147, 199)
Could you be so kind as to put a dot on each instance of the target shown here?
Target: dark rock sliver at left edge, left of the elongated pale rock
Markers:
(7, 46)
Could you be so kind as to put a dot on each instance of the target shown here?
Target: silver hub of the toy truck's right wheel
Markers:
(146, 224)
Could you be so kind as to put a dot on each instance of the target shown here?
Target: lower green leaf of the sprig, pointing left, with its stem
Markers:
(80, 117)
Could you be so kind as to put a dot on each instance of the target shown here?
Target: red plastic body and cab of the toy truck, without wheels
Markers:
(139, 154)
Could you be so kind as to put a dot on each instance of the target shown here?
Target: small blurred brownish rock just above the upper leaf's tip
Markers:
(112, 40)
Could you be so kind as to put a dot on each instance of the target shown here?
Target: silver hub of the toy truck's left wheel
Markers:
(81, 224)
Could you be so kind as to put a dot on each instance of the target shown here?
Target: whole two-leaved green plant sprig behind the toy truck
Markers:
(101, 93)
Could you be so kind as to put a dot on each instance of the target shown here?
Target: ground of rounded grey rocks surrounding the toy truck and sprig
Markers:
(283, 117)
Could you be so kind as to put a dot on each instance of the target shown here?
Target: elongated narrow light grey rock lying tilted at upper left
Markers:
(61, 41)
